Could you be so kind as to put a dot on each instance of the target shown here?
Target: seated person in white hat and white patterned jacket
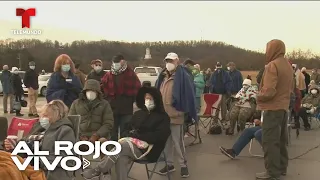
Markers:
(244, 107)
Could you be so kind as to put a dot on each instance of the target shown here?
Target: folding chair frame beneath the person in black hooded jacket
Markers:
(150, 173)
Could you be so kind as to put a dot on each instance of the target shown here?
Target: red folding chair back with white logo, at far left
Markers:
(21, 127)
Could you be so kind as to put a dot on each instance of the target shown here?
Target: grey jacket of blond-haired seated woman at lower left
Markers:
(61, 130)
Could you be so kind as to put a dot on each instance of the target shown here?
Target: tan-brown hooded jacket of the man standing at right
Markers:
(277, 82)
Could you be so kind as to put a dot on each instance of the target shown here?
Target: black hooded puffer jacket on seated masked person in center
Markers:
(152, 127)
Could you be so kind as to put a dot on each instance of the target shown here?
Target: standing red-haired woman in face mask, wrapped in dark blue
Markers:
(63, 84)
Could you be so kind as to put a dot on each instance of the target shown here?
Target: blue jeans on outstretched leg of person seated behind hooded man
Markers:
(245, 138)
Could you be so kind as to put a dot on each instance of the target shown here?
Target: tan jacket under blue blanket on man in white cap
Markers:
(177, 117)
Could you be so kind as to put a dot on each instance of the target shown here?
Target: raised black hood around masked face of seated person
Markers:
(157, 98)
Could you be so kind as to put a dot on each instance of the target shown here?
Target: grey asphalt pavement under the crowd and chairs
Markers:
(205, 161)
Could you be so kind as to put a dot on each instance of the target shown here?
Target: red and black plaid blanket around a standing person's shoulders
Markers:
(129, 84)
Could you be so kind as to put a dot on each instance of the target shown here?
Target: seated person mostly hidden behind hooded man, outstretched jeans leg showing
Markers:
(245, 138)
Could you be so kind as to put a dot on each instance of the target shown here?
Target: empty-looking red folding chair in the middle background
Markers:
(209, 111)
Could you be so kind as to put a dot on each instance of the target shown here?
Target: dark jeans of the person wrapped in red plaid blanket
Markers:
(119, 122)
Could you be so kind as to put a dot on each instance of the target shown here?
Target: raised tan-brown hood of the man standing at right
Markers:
(275, 49)
